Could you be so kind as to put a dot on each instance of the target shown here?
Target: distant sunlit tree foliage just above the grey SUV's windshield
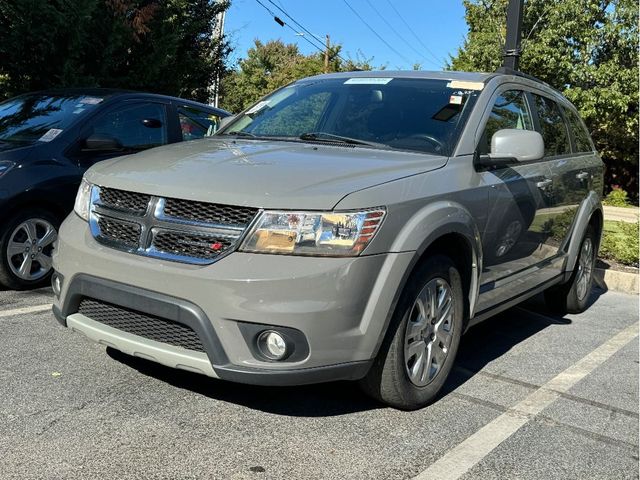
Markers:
(274, 64)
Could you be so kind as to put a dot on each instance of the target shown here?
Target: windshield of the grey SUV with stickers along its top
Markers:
(401, 113)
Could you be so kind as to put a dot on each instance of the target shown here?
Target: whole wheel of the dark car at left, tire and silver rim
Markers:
(26, 244)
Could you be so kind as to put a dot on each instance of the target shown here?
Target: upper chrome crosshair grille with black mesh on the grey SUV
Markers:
(177, 230)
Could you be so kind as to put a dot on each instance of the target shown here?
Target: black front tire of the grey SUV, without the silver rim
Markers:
(388, 380)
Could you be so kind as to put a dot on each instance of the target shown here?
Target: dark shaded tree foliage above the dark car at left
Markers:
(162, 46)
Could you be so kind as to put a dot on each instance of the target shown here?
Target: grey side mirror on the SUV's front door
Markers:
(512, 145)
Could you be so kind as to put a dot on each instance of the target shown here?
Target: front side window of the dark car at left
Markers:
(137, 126)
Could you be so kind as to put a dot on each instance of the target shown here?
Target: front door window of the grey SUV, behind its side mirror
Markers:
(509, 111)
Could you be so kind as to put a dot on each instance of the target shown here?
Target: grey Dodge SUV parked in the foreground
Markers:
(349, 226)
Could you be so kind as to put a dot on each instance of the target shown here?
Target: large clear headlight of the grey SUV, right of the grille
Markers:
(312, 233)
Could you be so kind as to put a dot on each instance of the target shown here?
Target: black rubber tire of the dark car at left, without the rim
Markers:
(8, 277)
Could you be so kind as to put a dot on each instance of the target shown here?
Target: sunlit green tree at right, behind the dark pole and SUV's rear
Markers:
(587, 49)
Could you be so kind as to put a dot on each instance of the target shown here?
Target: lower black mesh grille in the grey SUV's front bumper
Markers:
(141, 324)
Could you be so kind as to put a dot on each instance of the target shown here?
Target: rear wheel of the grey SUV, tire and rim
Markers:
(572, 297)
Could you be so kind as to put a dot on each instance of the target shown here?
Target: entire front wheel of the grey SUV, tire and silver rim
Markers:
(423, 338)
